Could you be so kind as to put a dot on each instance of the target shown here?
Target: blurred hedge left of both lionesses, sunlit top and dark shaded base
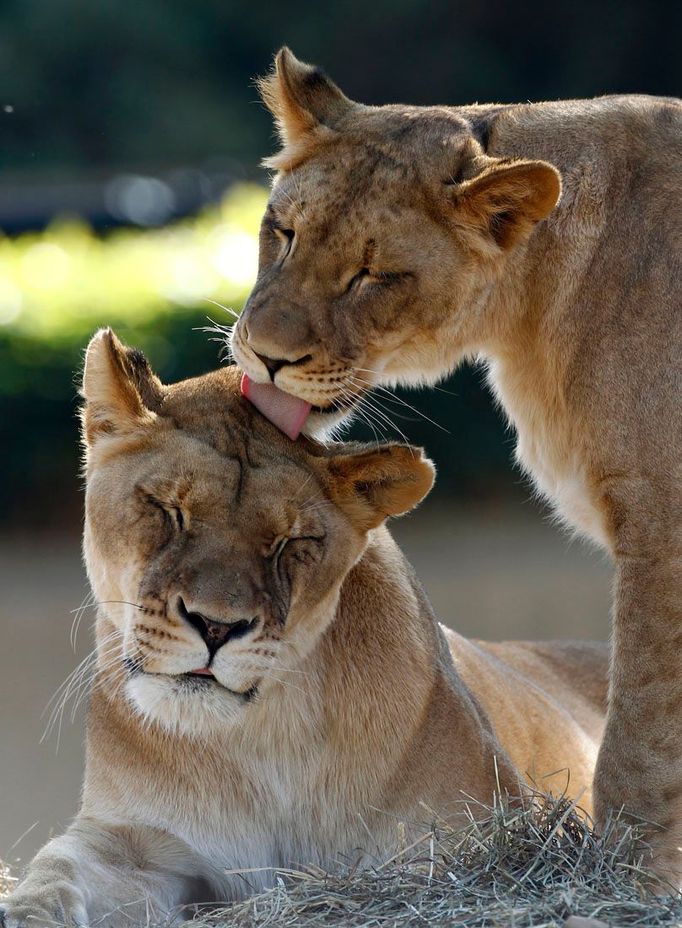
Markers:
(58, 286)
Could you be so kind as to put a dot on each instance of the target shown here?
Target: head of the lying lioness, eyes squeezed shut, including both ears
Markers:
(215, 546)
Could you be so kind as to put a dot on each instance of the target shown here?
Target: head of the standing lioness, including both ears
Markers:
(385, 229)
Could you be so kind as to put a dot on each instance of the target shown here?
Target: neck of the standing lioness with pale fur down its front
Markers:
(540, 310)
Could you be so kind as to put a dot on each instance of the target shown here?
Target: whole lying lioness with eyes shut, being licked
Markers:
(273, 688)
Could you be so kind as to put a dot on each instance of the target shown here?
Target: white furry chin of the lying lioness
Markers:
(198, 707)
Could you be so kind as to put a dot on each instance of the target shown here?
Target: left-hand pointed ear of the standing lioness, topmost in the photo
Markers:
(302, 99)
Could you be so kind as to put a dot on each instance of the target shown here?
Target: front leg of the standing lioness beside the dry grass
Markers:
(640, 761)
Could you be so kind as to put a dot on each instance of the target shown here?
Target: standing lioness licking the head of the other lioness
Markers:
(399, 239)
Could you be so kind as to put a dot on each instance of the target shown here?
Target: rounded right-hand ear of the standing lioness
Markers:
(502, 203)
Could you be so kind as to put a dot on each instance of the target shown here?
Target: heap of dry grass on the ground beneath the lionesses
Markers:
(522, 867)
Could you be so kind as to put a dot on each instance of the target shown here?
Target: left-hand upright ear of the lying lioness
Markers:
(120, 390)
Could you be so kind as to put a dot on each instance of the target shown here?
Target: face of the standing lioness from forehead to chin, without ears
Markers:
(341, 274)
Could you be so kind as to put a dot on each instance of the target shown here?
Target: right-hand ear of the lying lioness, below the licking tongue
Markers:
(371, 484)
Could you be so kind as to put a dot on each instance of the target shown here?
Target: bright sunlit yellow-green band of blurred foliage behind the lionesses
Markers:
(57, 284)
